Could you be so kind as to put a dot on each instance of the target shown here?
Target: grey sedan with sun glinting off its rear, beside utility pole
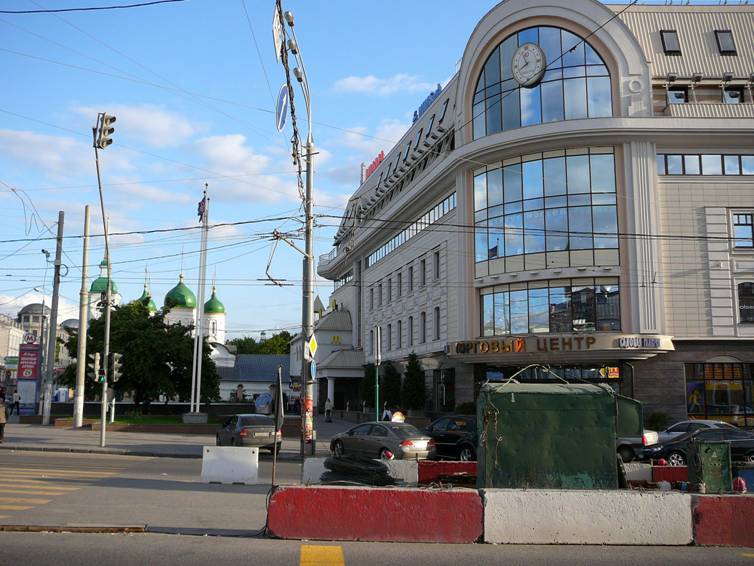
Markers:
(384, 440)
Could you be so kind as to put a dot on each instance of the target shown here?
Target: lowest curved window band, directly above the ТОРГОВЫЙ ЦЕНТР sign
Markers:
(566, 305)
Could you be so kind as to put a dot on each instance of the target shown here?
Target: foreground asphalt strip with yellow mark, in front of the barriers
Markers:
(157, 550)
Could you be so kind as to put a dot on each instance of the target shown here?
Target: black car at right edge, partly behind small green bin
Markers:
(675, 450)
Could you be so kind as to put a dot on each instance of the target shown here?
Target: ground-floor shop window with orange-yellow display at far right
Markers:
(721, 391)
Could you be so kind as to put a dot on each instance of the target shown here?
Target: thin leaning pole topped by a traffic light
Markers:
(101, 136)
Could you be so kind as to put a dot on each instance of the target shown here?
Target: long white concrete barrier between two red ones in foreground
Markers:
(586, 517)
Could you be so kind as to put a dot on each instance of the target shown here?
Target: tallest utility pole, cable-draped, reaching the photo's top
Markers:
(308, 433)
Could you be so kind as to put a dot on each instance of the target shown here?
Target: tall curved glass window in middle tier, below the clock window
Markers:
(545, 204)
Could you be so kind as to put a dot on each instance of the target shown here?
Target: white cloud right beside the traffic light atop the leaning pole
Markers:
(148, 123)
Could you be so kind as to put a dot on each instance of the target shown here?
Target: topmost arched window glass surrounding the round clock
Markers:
(576, 84)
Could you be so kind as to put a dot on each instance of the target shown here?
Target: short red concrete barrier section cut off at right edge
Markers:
(724, 520)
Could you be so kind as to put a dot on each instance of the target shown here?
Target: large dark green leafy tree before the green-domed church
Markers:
(157, 357)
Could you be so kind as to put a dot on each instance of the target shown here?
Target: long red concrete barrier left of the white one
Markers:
(375, 514)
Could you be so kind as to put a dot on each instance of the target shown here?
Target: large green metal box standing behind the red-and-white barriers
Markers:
(547, 436)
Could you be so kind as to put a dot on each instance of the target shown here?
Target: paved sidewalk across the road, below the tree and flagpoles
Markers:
(52, 439)
